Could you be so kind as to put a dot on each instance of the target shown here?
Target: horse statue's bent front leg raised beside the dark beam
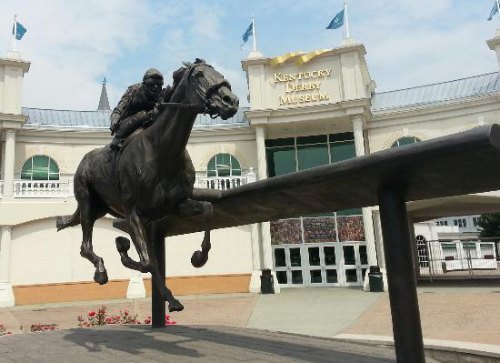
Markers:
(192, 207)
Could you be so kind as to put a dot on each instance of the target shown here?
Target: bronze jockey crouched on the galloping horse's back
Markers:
(138, 107)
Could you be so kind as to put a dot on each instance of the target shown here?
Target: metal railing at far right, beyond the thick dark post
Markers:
(458, 259)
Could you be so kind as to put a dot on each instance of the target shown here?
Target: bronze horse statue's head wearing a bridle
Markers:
(201, 83)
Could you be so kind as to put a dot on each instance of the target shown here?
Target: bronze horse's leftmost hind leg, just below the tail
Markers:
(89, 213)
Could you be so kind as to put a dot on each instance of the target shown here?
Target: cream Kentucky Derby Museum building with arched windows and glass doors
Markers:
(306, 110)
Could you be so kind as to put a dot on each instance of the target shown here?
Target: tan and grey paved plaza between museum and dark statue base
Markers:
(461, 315)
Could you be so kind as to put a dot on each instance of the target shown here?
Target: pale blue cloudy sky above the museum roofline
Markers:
(73, 45)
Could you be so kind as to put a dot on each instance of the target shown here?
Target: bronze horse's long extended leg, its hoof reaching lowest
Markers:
(143, 244)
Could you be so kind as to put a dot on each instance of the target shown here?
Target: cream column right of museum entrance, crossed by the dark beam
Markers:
(359, 144)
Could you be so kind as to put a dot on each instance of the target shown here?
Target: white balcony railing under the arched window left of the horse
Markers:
(43, 188)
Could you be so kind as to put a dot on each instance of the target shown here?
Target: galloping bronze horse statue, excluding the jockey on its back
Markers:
(152, 176)
